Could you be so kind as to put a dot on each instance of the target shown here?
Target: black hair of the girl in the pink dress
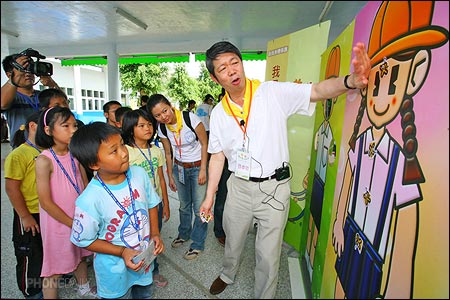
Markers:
(51, 115)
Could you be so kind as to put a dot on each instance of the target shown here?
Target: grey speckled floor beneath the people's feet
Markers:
(187, 279)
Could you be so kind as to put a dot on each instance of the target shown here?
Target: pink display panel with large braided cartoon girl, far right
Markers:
(390, 218)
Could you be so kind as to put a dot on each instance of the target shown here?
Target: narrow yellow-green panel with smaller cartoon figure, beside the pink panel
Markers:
(324, 159)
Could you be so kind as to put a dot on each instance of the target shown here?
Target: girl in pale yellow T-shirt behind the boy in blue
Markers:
(138, 133)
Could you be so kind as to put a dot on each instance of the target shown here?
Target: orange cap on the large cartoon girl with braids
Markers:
(402, 26)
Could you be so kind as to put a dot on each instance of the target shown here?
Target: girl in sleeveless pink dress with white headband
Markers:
(60, 179)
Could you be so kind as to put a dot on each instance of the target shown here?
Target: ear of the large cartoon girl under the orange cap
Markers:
(419, 71)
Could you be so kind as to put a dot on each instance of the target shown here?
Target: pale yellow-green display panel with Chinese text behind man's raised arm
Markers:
(293, 58)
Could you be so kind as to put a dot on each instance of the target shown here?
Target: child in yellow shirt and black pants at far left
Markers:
(20, 186)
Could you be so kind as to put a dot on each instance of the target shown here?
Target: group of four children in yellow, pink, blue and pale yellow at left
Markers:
(61, 217)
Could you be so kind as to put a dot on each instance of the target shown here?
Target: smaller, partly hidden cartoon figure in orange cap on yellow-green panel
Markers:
(325, 146)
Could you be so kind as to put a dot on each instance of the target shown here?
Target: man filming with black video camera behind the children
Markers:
(19, 99)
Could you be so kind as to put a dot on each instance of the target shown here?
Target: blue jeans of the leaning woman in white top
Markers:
(191, 196)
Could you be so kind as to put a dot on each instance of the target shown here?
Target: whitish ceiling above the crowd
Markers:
(87, 28)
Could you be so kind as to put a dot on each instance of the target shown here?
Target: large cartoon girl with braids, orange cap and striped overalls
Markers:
(377, 219)
